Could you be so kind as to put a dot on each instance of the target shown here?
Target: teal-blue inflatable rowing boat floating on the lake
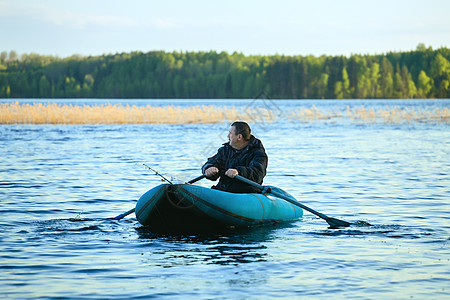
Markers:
(183, 206)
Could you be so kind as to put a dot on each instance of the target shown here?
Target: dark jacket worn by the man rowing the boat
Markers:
(250, 162)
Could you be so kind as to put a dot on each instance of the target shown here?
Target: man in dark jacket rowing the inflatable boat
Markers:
(243, 155)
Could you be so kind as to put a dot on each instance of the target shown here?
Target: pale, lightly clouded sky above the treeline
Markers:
(261, 27)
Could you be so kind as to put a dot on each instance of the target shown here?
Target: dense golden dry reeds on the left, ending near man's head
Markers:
(51, 113)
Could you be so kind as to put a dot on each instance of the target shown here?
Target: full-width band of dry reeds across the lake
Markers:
(51, 113)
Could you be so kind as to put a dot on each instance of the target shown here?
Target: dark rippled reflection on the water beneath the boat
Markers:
(227, 247)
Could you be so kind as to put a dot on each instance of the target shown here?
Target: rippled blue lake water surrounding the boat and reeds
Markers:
(59, 182)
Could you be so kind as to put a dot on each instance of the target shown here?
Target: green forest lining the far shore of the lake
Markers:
(421, 73)
